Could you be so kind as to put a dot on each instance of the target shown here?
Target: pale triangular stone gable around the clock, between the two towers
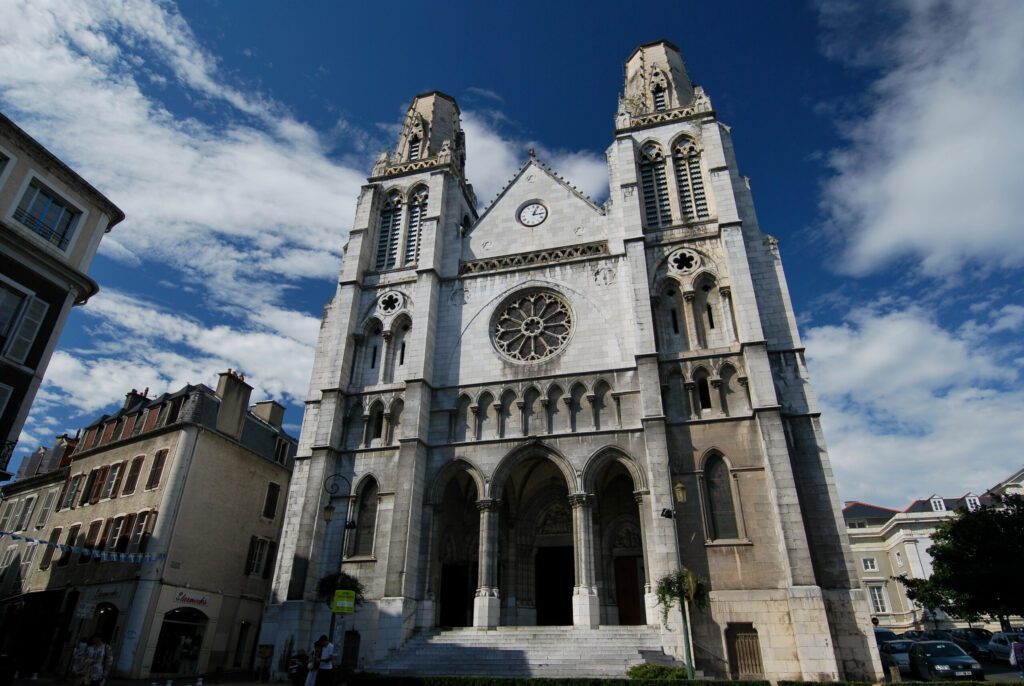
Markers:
(572, 220)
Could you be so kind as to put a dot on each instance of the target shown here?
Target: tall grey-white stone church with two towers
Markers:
(521, 415)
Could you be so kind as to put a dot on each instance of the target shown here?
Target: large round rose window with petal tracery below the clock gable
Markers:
(533, 327)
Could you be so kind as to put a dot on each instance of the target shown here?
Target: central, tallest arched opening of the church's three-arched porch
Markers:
(537, 571)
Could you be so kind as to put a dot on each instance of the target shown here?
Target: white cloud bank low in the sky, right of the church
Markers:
(911, 409)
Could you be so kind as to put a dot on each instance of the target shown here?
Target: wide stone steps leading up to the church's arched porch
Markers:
(526, 652)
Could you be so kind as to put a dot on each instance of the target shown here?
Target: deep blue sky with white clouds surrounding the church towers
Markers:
(881, 140)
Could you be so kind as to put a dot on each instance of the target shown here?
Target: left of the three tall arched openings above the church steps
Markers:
(457, 527)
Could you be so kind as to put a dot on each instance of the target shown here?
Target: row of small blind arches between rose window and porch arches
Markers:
(557, 409)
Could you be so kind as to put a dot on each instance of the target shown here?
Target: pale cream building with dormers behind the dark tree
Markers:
(890, 543)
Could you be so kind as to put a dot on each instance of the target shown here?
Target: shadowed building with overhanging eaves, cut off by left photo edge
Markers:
(52, 222)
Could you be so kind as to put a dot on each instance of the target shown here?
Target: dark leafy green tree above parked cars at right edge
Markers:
(976, 559)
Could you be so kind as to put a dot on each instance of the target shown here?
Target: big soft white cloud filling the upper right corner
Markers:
(934, 170)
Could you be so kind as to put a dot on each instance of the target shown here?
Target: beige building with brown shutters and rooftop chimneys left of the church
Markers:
(158, 531)
